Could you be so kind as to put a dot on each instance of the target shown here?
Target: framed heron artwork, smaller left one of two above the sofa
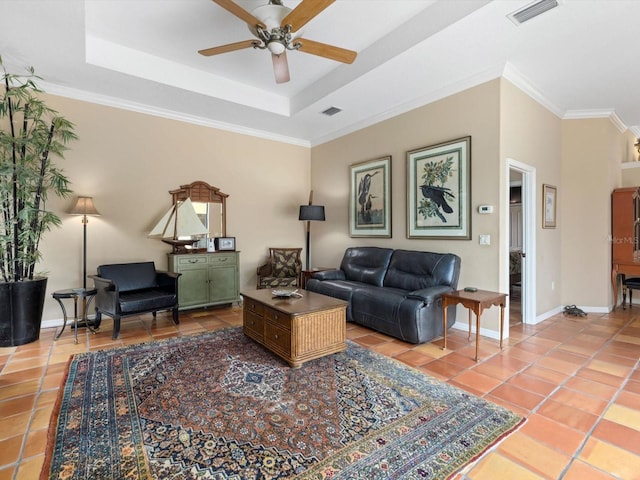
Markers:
(370, 198)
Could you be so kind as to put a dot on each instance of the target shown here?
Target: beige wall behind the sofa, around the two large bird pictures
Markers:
(474, 112)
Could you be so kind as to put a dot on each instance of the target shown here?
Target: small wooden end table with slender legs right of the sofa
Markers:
(475, 301)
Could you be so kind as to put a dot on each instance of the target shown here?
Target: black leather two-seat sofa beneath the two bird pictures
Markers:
(396, 292)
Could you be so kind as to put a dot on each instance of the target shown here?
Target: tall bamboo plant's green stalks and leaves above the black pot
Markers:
(31, 134)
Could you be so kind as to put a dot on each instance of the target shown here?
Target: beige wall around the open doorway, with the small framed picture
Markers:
(531, 134)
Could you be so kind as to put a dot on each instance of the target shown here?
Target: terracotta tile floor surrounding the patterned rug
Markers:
(575, 379)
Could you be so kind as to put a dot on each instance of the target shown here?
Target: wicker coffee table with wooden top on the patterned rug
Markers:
(298, 329)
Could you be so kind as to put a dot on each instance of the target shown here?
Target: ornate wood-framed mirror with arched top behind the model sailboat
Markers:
(210, 206)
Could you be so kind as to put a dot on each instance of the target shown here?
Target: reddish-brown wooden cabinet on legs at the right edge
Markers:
(625, 234)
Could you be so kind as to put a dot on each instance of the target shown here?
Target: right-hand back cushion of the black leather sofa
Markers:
(411, 270)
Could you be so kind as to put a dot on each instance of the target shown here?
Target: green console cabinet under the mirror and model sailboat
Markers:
(207, 278)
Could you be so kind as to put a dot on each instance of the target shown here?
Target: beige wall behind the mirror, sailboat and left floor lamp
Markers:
(129, 161)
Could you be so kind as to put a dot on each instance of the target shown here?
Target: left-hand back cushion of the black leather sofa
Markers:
(366, 264)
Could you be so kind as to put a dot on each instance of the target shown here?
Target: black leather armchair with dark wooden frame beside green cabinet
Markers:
(132, 288)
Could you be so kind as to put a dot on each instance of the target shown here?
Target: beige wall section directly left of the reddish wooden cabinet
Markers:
(591, 156)
